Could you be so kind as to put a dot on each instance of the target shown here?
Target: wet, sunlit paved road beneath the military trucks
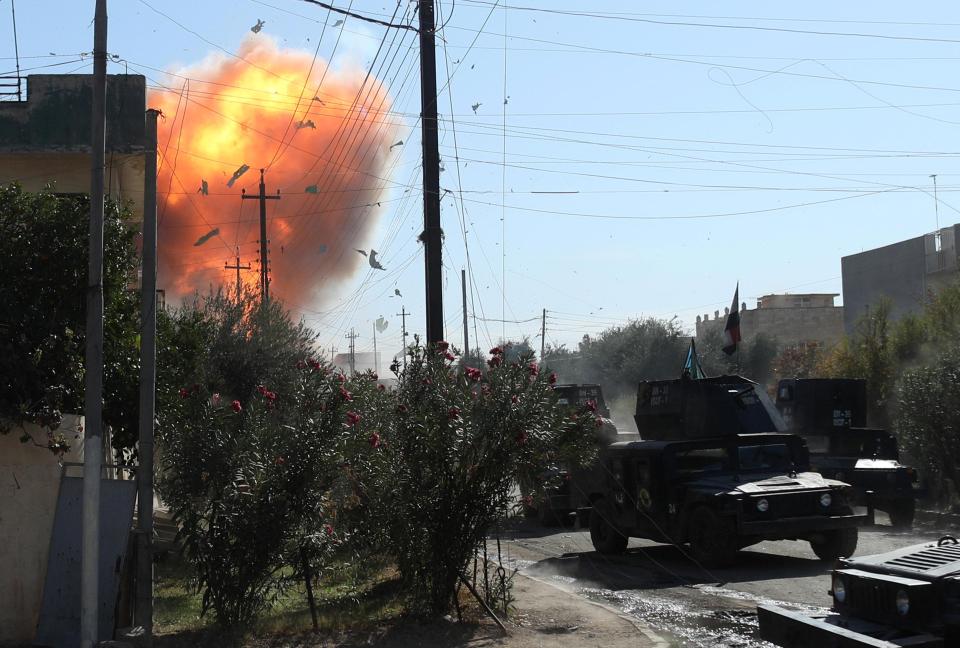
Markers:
(694, 606)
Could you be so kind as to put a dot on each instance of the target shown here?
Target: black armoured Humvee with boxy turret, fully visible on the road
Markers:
(718, 473)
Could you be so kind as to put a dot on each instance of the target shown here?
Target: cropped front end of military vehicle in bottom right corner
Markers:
(906, 597)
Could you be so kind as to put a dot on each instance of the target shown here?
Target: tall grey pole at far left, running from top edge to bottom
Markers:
(93, 382)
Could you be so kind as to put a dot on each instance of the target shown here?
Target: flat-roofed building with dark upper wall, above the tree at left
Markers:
(46, 139)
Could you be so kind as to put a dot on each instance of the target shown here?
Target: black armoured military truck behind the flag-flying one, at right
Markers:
(831, 414)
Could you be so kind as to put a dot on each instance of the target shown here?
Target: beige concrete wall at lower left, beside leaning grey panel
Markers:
(29, 484)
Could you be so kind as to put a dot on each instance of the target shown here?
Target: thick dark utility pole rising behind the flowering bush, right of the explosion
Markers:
(431, 174)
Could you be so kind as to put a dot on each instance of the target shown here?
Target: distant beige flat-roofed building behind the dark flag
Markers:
(791, 320)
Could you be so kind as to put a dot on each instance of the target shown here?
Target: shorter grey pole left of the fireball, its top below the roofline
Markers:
(148, 383)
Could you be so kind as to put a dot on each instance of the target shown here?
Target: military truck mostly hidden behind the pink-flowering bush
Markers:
(554, 501)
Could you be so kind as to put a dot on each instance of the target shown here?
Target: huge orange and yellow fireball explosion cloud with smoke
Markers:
(325, 151)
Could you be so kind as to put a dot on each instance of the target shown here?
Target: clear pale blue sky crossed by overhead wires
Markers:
(645, 166)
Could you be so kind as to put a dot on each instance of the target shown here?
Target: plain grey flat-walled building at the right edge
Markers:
(905, 273)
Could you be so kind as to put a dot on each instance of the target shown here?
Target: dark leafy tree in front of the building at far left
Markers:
(43, 259)
